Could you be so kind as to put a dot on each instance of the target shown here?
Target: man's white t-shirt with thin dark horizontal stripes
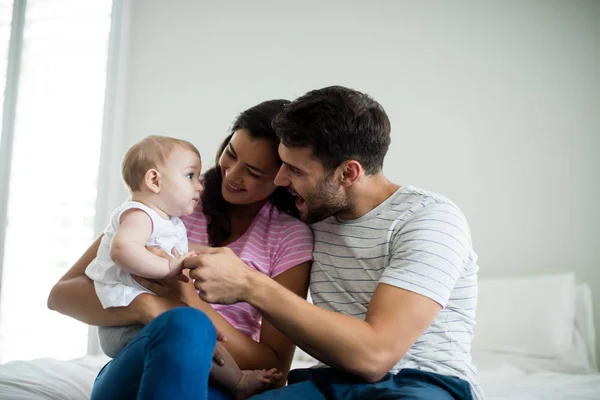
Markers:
(415, 240)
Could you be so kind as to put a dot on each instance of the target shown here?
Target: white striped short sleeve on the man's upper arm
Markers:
(429, 252)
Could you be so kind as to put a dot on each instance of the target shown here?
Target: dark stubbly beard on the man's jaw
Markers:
(324, 202)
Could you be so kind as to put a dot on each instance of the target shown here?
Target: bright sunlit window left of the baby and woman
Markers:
(53, 171)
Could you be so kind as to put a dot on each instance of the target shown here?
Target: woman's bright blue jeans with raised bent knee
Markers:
(169, 359)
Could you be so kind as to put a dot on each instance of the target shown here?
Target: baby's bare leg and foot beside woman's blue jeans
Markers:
(242, 383)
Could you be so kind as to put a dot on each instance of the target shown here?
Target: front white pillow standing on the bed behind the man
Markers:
(532, 316)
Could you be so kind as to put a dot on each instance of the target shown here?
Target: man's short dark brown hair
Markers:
(339, 124)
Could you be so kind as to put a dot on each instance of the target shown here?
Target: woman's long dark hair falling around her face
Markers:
(257, 121)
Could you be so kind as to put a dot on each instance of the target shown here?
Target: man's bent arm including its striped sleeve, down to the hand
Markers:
(427, 257)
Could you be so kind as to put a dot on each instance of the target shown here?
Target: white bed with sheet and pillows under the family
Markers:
(553, 358)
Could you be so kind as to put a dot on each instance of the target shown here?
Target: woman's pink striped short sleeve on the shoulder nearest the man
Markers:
(294, 247)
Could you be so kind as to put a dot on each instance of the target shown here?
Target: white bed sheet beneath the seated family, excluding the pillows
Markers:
(61, 380)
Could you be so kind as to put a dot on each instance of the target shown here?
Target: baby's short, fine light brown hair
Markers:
(150, 152)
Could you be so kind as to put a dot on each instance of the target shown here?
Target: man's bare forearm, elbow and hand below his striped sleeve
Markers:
(395, 318)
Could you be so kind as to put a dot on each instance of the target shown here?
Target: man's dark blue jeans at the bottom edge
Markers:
(331, 384)
